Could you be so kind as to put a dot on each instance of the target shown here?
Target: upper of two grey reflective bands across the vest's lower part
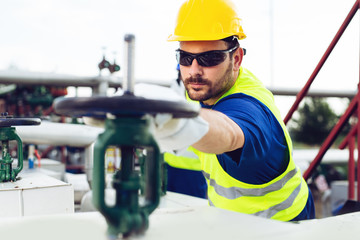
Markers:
(236, 192)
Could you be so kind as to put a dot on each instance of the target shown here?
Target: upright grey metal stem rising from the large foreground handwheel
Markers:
(128, 80)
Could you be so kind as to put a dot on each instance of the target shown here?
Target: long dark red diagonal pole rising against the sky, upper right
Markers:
(305, 89)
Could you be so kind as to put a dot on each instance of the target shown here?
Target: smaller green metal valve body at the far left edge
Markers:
(7, 172)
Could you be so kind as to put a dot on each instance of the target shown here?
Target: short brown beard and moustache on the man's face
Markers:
(209, 89)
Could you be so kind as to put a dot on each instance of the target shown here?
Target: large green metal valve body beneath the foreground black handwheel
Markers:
(127, 216)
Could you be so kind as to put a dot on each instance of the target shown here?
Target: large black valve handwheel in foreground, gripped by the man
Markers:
(125, 105)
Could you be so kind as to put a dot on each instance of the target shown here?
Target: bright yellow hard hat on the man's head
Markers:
(202, 20)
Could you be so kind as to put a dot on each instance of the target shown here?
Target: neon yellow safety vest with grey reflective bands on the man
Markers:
(283, 198)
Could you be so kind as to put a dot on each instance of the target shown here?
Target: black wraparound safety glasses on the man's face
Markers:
(205, 59)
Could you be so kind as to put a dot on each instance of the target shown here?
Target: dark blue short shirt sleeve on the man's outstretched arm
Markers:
(263, 156)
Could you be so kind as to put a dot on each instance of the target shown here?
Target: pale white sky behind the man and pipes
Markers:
(285, 39)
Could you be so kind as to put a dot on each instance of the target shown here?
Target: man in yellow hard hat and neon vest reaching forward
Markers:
(246, 154)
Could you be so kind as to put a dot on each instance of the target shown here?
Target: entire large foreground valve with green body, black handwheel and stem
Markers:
(127, 126)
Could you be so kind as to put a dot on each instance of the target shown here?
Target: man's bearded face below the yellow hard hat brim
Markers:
(207, 84)
